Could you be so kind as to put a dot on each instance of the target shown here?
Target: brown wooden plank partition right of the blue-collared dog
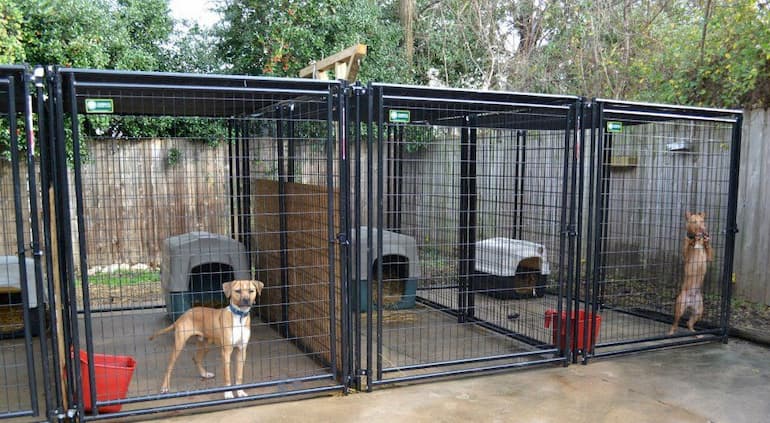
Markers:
(308, 261)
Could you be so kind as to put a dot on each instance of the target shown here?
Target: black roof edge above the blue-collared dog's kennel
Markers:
(193, 95)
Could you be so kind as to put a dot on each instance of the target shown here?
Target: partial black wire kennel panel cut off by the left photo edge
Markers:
(24, 367)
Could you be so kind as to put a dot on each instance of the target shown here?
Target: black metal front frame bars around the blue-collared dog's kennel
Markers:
(70, 85)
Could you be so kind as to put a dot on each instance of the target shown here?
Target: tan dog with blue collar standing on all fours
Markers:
(229, 328)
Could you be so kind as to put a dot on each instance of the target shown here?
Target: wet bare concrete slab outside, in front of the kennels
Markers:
(705, 383)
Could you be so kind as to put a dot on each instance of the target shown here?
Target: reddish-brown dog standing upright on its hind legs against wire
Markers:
(697, 254)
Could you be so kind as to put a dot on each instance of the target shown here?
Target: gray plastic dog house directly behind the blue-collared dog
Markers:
(195, 265)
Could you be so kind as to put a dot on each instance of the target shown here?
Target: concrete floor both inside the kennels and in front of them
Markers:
(597, 392)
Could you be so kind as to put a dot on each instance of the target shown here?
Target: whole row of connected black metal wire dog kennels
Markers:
(402, 233)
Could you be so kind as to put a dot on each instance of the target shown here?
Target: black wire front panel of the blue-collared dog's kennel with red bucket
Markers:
(172, 185)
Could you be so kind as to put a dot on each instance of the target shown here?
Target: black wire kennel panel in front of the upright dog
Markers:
(651, 166)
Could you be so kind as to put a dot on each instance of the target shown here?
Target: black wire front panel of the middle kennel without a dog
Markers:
(461, 229)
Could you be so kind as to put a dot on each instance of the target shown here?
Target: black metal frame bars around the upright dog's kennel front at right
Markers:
(601, 112)
